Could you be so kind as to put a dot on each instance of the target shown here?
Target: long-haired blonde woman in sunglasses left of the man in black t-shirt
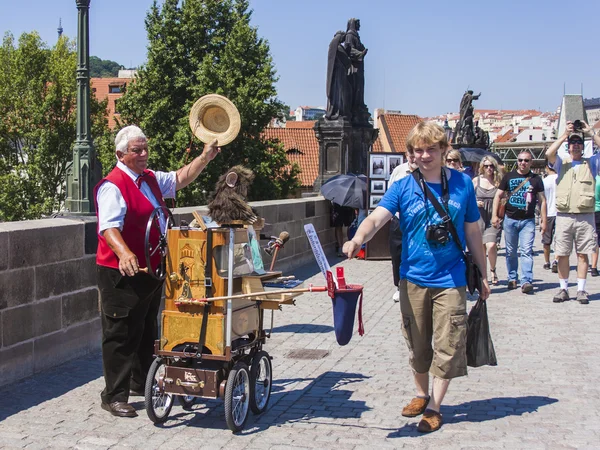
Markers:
(486, 185)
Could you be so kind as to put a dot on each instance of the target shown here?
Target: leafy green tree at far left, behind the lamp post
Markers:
(37, 124)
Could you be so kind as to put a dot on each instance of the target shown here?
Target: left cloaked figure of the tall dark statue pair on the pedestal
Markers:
(339, 90)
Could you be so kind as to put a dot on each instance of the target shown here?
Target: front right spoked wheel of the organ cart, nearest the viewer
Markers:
(237, 397)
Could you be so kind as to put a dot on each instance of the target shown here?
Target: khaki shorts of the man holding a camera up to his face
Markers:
(575, 229)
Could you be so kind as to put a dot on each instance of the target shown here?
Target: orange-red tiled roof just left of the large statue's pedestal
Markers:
(305, 146)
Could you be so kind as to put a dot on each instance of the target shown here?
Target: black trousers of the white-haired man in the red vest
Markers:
(129, 328)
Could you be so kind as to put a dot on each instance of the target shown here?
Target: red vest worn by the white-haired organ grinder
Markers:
(139, 209)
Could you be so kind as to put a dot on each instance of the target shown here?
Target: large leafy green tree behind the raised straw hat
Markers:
(197, 47)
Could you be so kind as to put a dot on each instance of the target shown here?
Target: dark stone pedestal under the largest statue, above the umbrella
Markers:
(343, 148)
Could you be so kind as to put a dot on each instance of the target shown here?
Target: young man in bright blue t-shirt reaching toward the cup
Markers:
(432, 272)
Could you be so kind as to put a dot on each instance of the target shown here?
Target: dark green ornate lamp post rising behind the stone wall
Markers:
(85, 170)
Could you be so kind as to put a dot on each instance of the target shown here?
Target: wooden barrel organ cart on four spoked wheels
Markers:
(211, 349)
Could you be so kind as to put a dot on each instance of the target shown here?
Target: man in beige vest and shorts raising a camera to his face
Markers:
(575, 205)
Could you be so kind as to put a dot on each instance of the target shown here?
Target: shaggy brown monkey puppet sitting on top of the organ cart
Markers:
(228, 200)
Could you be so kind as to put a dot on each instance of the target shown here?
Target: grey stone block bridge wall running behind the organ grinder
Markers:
(48, 295)
